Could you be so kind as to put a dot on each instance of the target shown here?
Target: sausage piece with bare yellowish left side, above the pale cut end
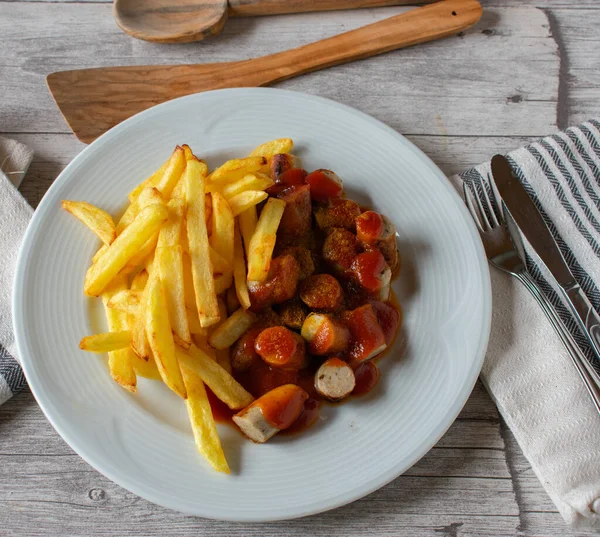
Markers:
(325, 334)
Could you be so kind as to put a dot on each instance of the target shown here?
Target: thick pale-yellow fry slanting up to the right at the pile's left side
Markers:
(124, 248)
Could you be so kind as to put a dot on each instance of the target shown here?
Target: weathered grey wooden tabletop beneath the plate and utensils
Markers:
(526, 70)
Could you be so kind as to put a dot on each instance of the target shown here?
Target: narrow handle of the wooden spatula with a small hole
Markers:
(416, 26)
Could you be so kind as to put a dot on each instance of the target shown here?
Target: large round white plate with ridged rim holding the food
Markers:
(143, 442)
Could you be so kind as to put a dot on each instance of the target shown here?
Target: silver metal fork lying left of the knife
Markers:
(508, 257)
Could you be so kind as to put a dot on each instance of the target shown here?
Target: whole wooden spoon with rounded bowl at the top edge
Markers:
(179, 21)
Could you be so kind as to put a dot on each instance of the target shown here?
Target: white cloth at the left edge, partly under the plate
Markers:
(15, 214)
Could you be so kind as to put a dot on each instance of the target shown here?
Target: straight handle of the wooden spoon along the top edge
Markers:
(252, 8)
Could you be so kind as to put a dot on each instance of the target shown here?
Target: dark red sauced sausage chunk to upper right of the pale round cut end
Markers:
(368, 339)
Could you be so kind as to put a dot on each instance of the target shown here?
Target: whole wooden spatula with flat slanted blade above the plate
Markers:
(94, 100)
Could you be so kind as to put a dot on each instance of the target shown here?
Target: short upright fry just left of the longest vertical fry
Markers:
(170, 265)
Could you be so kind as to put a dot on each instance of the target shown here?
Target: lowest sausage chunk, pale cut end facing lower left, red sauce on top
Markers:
(271, 413)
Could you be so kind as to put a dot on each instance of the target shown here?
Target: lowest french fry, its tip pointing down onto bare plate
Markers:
(202, 421)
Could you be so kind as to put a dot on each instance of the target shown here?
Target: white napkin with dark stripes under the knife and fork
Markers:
(527, 370)
